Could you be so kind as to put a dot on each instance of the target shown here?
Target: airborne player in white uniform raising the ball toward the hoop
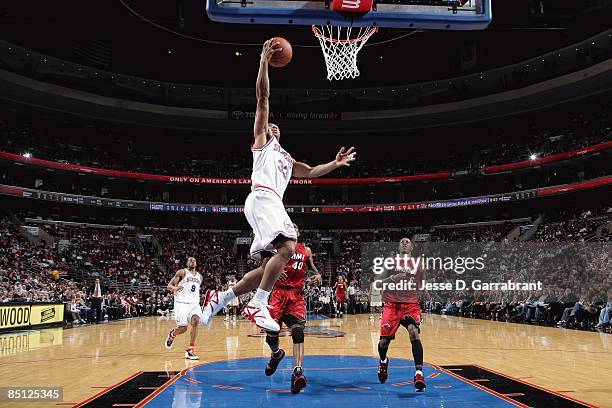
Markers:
(274, 241)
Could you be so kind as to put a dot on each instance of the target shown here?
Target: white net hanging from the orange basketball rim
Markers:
(340, 47)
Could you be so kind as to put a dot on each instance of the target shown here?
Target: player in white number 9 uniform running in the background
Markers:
(187, 310)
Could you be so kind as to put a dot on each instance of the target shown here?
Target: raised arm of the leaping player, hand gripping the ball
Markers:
(262, 93)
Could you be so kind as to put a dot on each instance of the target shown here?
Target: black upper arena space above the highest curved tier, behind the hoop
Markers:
(107, 35)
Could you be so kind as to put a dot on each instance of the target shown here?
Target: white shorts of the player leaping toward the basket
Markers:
(266, 214)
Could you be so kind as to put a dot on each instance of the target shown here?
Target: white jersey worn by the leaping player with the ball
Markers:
(272, 167)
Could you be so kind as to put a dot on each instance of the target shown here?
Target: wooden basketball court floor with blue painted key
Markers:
(96, 359)
